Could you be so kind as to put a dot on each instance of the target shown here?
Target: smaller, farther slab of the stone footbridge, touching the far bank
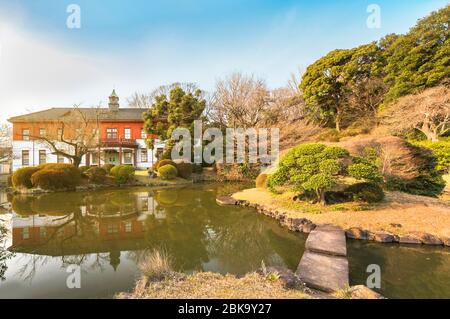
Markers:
(327, 240)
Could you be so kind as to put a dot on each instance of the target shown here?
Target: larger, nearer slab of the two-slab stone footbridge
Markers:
(323, 272)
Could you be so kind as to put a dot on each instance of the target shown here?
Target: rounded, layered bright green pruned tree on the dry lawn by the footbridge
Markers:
(309, 167)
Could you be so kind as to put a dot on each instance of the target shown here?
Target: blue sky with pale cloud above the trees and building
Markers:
(138, 45)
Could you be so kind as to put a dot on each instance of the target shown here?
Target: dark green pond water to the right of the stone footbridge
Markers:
(406, 271)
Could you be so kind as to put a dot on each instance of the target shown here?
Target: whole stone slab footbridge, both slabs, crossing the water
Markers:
(324, 264)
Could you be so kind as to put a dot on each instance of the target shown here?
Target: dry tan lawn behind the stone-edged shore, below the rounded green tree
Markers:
(413, 213)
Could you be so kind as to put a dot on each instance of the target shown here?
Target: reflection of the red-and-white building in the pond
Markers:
(89, 230)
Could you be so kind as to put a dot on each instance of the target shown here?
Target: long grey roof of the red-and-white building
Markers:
(103, 114)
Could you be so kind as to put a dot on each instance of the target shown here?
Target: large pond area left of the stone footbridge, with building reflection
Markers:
(108, 232)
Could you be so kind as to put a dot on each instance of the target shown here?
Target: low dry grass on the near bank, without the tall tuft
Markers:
(205, 285)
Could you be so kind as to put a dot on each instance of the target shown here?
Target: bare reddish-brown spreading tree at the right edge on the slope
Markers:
(428, 112)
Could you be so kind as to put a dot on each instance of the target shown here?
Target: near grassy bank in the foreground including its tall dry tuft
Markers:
(159, 280)
